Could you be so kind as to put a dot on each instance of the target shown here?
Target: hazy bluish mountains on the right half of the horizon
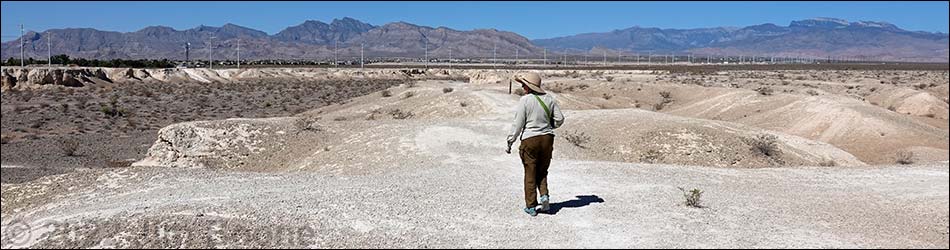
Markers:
(815, 38)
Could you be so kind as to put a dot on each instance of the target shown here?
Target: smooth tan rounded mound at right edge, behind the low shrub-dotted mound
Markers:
(871, 133)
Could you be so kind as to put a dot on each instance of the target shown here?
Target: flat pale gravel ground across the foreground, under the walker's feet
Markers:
(602, 204)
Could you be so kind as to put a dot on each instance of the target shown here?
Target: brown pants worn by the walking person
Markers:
(536, 157)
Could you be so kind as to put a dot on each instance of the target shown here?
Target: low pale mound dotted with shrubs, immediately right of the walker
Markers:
(631, 135)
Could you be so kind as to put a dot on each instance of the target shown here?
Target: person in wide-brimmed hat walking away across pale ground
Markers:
(536, 116)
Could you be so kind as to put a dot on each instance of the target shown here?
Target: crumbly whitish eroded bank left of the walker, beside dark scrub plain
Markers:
(247, 144)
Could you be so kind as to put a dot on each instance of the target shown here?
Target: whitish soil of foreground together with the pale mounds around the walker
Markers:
(441, 179)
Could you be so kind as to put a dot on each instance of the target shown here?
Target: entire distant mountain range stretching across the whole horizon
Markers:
(342, 38)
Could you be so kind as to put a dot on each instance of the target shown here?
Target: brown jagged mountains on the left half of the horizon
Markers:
(313, 40)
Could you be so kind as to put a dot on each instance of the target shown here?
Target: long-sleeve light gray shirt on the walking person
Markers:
(530, 119)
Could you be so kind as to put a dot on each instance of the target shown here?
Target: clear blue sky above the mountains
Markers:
(531, 19)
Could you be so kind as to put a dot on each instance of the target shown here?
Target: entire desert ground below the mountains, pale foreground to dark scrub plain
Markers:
(393, 158)
